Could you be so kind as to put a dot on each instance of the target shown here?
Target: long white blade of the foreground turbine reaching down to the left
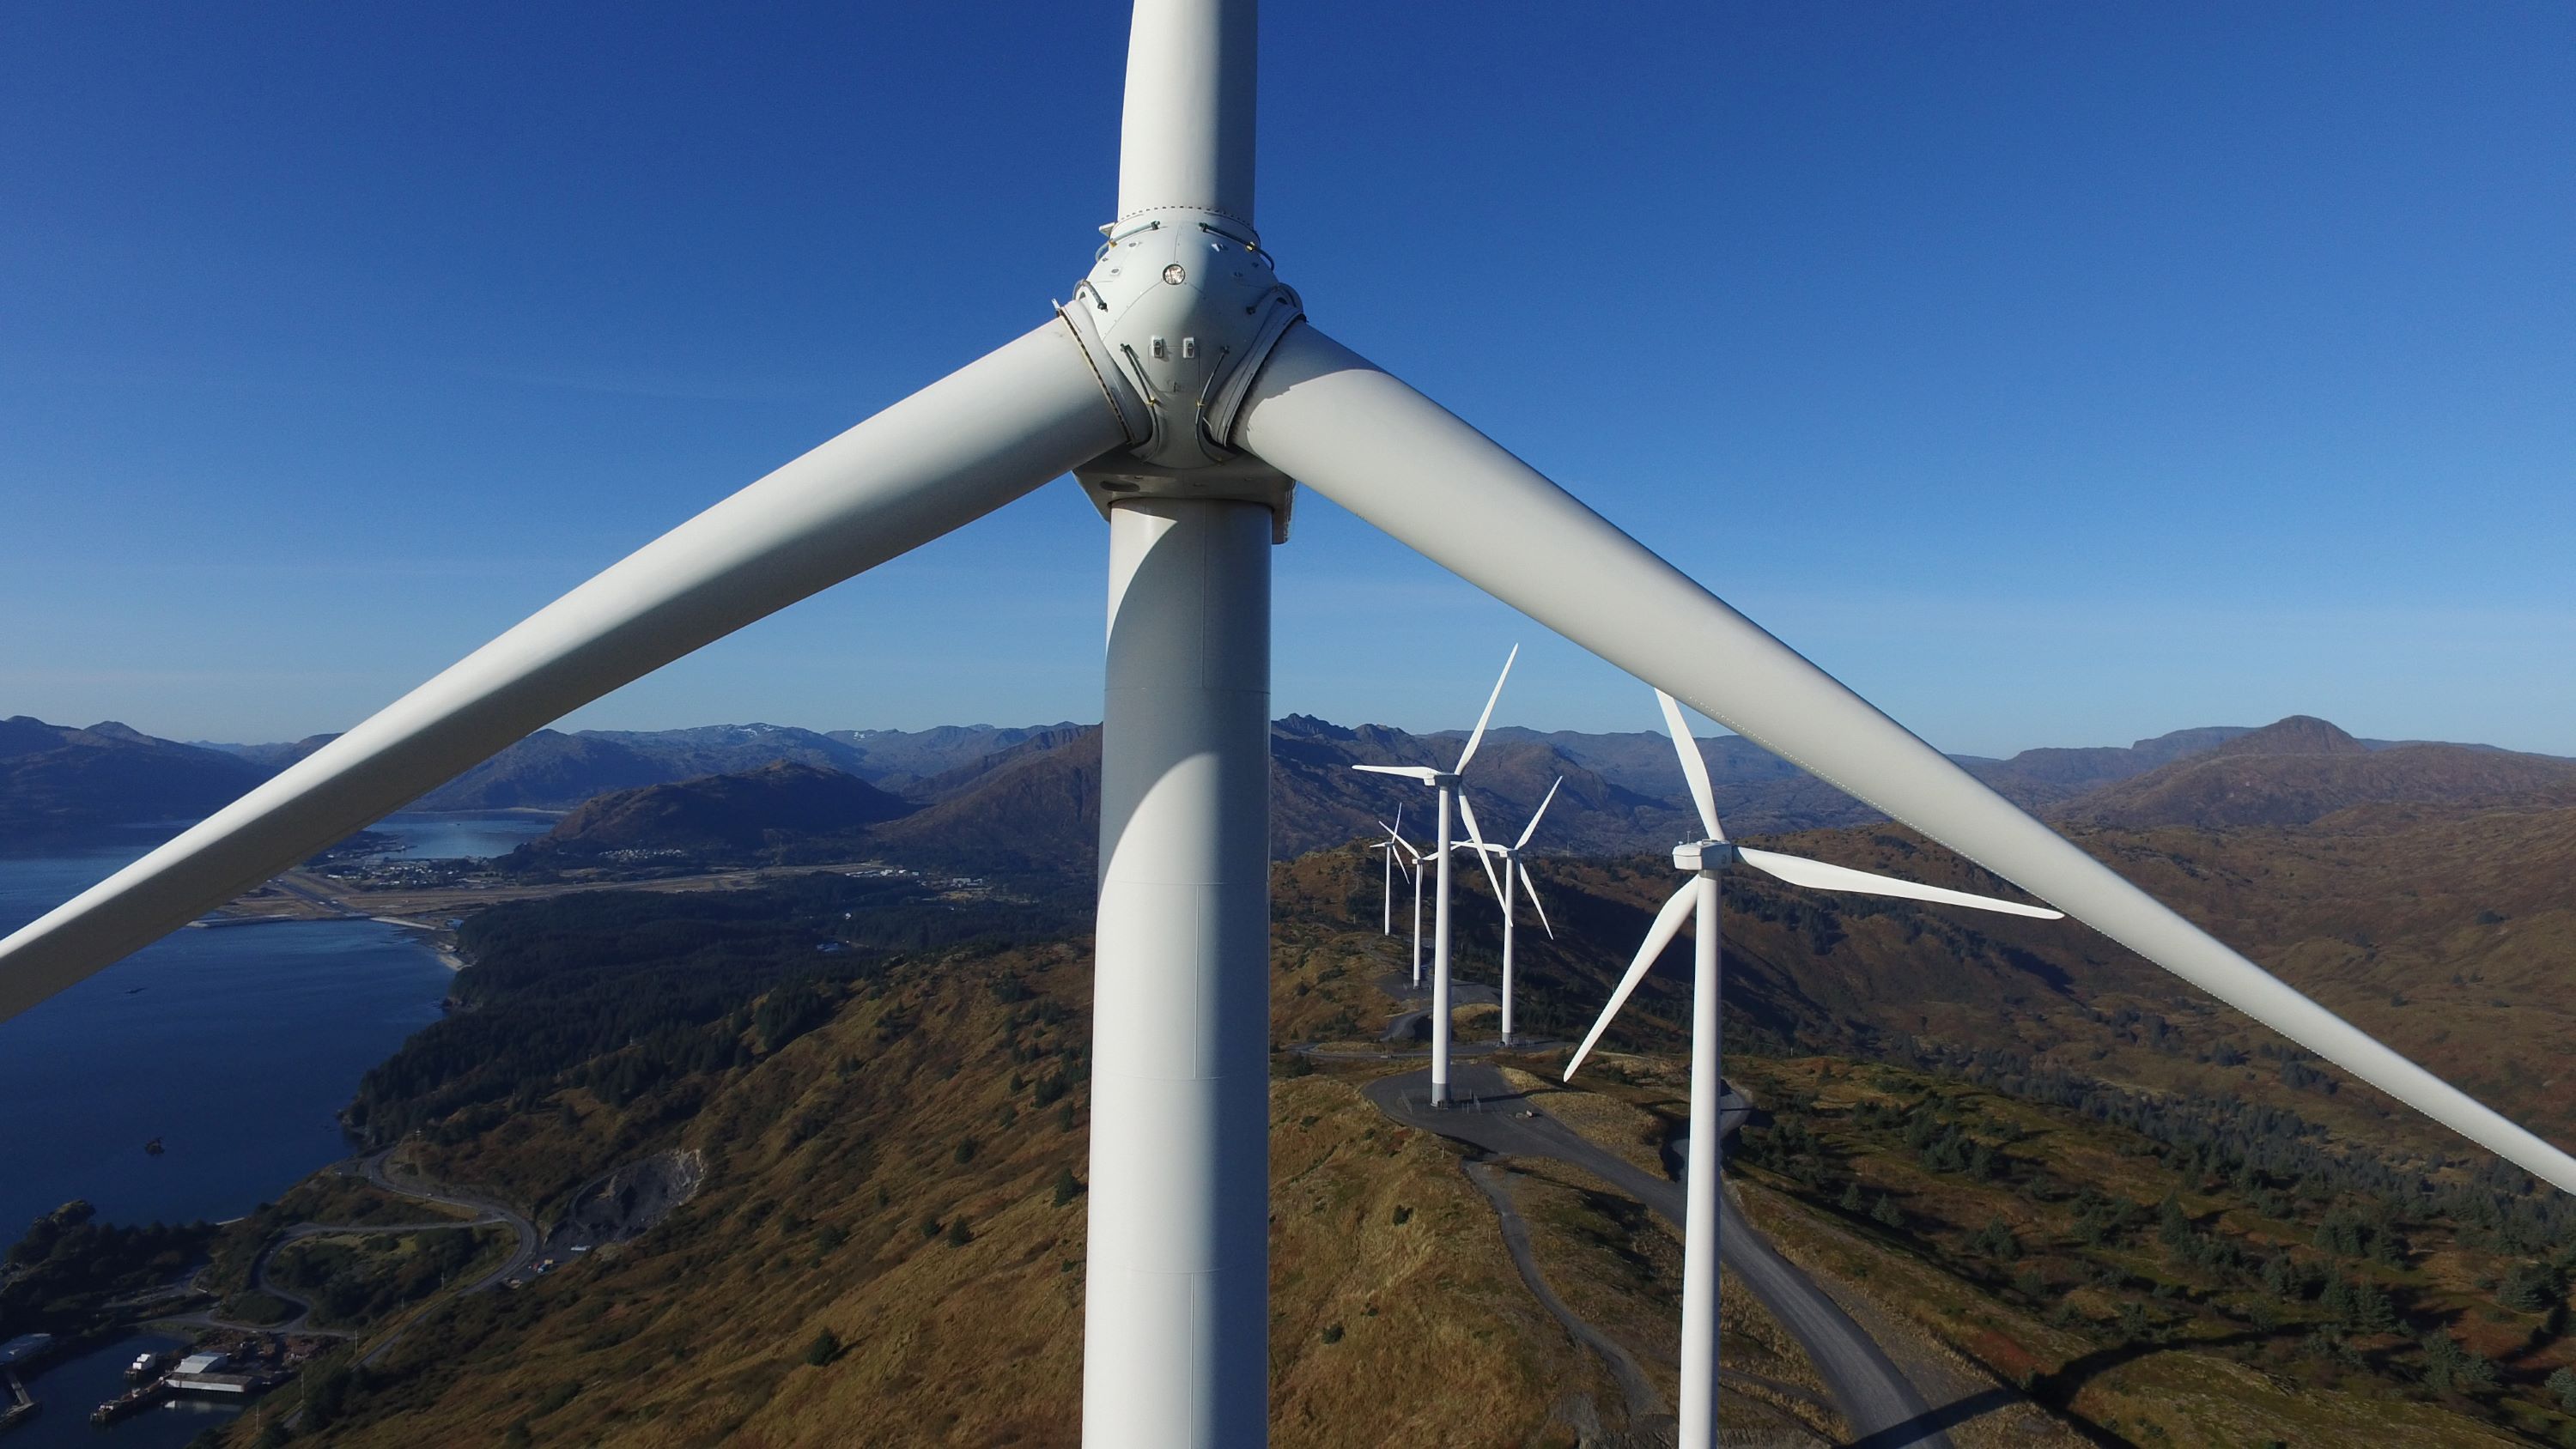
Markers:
(929, 465)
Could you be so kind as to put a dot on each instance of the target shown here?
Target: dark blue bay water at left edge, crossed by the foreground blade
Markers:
(233, 1046)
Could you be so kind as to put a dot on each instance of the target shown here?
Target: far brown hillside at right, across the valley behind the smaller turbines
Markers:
(2446, 933)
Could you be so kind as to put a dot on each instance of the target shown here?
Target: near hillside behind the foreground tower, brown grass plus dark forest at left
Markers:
(895, 1157)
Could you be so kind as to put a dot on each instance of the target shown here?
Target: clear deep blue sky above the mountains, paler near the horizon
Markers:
(2054, 374)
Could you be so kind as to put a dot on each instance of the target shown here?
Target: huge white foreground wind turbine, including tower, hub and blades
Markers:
(1189, 395)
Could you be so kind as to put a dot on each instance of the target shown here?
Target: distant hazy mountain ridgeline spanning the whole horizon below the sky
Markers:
(1029, 799)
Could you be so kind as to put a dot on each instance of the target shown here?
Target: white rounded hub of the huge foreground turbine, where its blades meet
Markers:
(1179, 315)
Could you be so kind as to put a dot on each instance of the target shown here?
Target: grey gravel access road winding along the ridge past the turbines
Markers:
(1884, 1409)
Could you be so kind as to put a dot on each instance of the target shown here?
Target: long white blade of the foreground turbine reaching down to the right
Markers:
(1392, 457)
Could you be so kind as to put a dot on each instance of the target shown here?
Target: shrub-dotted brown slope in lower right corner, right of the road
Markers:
(2211, 1365)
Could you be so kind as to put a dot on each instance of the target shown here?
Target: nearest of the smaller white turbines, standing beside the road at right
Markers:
(1707, 863)
